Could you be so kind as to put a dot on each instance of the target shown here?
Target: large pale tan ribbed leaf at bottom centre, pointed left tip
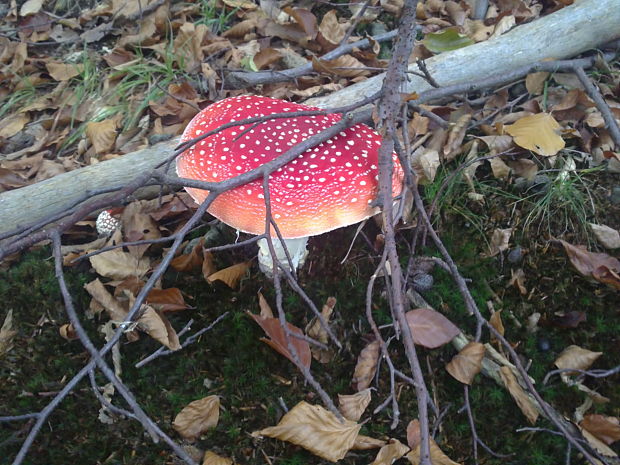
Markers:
(315, 429)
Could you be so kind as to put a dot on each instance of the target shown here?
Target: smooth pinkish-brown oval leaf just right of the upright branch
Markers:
(430, 328)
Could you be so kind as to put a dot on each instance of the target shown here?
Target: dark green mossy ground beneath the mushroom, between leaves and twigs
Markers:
(253, 381)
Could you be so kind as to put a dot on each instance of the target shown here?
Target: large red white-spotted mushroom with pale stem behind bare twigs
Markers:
(327, 187)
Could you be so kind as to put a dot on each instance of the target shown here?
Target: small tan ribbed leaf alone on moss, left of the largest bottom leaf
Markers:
(197, 417)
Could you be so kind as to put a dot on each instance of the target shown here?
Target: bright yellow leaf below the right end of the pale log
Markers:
(538, 133)
